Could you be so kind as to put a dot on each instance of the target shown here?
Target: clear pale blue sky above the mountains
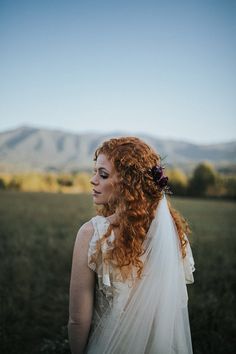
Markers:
(167, 68)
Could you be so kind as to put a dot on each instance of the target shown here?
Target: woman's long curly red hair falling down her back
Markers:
(137, 199)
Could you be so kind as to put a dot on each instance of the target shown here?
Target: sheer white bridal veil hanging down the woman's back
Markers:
(152, 317)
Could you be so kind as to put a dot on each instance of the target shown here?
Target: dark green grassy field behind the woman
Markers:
(37, 233)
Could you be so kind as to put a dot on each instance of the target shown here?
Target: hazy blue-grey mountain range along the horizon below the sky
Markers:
(27, 148)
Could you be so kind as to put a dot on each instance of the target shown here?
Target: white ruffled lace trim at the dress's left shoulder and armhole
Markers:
(104, 270)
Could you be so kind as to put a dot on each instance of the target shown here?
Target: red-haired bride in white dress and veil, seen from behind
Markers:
(132, 261)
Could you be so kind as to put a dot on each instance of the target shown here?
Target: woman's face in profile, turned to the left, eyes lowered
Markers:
(104, 180)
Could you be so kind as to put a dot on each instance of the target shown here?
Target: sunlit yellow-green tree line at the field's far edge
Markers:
(204, 181)
